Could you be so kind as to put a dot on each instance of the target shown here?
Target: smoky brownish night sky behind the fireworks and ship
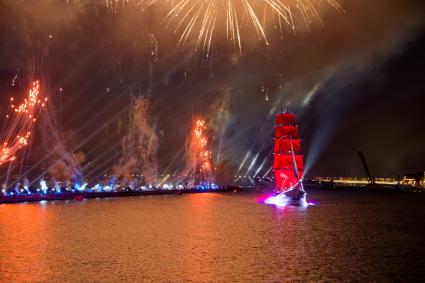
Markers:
(356, 82)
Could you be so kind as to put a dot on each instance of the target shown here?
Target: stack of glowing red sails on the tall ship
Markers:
(288, 164)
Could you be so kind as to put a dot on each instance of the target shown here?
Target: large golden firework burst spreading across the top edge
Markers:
(201, 18)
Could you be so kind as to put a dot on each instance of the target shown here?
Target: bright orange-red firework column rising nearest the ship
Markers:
(198, 166)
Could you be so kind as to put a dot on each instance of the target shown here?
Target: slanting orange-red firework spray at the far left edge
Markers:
(19, 124)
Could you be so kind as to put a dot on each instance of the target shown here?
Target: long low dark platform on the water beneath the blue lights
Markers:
(78, 196)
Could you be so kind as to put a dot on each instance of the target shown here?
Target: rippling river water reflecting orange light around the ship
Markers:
(346, 236)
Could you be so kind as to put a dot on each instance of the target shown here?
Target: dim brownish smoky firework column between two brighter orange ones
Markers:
(140, 145)
